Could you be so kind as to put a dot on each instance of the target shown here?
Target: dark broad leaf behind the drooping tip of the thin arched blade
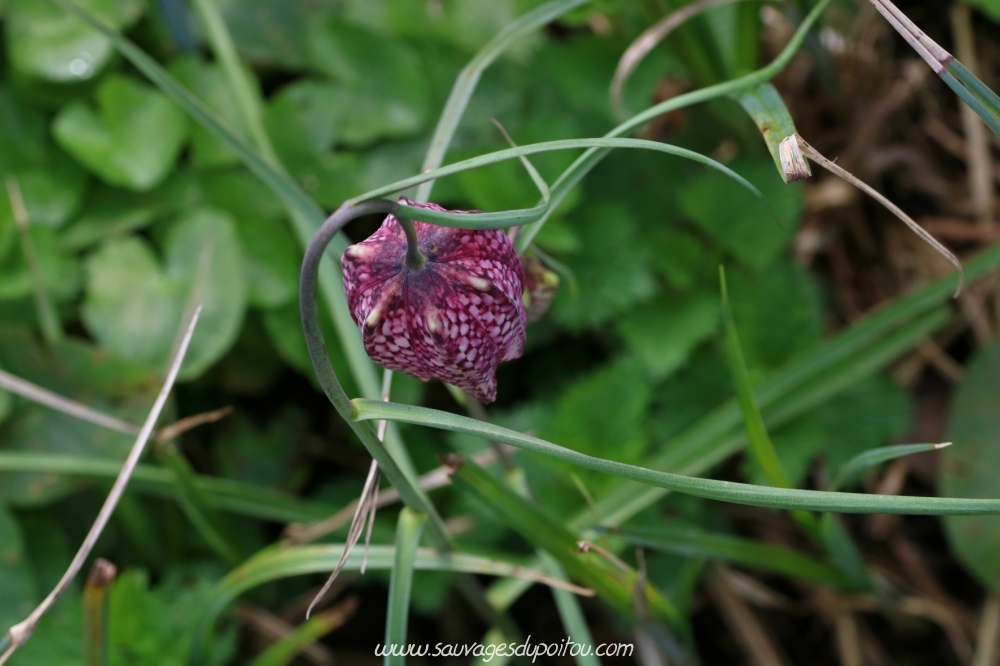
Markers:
(737, 222)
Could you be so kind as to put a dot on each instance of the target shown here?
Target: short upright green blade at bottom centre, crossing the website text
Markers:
(409, 527)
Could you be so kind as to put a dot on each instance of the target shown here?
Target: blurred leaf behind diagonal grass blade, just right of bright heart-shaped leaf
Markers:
(208, 82)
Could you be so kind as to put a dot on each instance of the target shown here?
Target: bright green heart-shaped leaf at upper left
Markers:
(133, 137)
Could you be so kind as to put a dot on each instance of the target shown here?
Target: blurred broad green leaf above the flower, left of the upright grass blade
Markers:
(382, 91)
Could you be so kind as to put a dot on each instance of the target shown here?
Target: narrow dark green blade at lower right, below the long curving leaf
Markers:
(690, 541)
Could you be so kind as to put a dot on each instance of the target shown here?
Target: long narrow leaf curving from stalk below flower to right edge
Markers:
(726, 491)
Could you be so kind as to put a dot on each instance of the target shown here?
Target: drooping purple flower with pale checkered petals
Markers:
(455, 318)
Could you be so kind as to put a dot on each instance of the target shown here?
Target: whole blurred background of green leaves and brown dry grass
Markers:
(136, 212)
